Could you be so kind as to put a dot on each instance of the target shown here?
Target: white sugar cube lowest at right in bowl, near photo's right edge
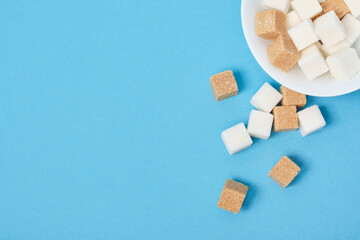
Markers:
(344, 64)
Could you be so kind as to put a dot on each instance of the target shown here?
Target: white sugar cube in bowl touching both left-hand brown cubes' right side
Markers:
(303, 35)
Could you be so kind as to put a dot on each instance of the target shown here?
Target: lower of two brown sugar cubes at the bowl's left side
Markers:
(283, 54)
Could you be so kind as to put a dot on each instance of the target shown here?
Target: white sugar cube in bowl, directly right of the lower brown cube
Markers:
(312, 62)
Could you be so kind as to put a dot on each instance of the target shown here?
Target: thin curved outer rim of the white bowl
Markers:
(348, 88)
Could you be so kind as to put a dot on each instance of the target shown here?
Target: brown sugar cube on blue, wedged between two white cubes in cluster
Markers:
(285, 119)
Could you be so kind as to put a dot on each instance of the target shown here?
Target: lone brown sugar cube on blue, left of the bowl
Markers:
(223, 85)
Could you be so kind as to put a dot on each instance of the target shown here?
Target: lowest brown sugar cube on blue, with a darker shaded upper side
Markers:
(232, 196)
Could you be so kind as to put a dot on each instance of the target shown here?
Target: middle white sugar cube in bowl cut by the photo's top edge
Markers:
(306, 9)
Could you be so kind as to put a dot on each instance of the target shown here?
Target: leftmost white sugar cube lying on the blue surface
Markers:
(236, 138)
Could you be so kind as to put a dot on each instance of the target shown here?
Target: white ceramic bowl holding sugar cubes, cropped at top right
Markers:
(324, 86)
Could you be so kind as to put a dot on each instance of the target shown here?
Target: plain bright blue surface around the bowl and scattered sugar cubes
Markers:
(109, 129)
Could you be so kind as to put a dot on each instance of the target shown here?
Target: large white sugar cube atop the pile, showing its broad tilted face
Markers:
(329, 29)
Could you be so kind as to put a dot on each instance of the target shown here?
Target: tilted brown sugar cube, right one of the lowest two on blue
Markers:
(284, 172)
